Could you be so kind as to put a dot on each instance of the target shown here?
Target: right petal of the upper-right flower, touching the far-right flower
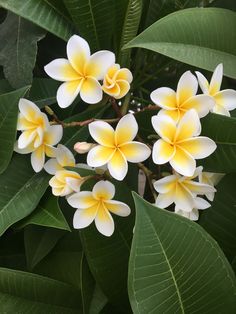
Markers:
(201, 103)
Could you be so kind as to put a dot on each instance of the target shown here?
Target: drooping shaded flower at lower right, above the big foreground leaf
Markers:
(181, 191)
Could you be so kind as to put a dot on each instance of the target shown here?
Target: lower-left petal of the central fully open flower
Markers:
(99, 156)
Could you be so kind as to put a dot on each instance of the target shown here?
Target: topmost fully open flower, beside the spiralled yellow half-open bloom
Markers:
(81, 72)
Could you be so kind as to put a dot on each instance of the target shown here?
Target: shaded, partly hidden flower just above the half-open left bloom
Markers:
(63, 158)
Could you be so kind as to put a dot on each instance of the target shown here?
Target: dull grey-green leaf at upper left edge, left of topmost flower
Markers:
(18, 49)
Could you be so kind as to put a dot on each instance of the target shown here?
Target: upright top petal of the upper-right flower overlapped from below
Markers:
(187, 87)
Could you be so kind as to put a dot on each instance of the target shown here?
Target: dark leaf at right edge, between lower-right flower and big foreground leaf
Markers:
(220, 219)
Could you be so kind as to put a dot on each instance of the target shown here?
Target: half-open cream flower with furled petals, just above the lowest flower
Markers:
(65, 182)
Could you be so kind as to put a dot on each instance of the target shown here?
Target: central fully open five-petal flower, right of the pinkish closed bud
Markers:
(116, 147)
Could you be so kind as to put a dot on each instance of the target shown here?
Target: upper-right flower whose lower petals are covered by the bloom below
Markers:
(175, 104)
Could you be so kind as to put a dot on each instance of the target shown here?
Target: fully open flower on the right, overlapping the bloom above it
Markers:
(180, 143)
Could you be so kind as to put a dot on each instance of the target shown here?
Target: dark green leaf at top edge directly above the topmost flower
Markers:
(93, 20)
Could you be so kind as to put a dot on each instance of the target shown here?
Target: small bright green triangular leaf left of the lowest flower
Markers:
(47, 214)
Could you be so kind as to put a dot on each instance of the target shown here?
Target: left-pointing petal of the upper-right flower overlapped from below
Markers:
(164, 97)
